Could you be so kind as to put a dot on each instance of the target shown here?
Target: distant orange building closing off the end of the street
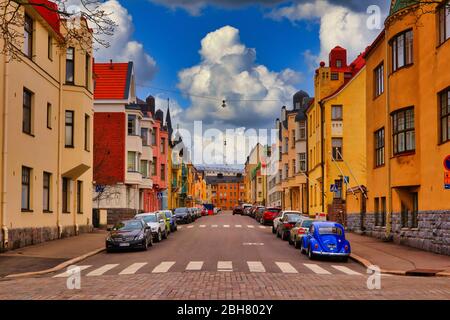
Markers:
(226, 191)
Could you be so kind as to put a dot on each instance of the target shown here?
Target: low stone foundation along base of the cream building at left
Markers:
(22, 237)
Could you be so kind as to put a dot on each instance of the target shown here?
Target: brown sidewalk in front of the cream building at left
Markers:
(50, 254)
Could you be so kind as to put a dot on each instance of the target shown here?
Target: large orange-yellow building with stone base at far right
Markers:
(408, 125)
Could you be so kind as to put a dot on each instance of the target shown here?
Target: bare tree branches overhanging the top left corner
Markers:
(70, 15)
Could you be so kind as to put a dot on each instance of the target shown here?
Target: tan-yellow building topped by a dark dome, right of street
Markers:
(292, 165)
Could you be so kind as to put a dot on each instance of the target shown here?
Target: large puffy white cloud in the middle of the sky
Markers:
(228, 69)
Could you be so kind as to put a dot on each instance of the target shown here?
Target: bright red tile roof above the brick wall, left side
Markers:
(112, 80)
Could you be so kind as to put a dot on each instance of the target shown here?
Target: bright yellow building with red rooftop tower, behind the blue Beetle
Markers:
(336, 135)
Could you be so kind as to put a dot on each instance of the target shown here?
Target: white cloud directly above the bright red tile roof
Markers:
(122, 46)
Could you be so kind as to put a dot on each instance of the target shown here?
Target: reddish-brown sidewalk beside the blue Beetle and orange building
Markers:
(397, 259)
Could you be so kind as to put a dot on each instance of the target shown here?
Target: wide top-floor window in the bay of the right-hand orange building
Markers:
(402, 50)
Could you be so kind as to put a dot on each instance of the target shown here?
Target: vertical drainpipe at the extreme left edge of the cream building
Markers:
(4, 171)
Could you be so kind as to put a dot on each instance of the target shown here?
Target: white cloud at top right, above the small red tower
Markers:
(340, 25)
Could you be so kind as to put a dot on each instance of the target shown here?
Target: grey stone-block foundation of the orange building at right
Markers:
(432, 233)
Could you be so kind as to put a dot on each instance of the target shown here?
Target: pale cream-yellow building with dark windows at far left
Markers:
(46, 108)
